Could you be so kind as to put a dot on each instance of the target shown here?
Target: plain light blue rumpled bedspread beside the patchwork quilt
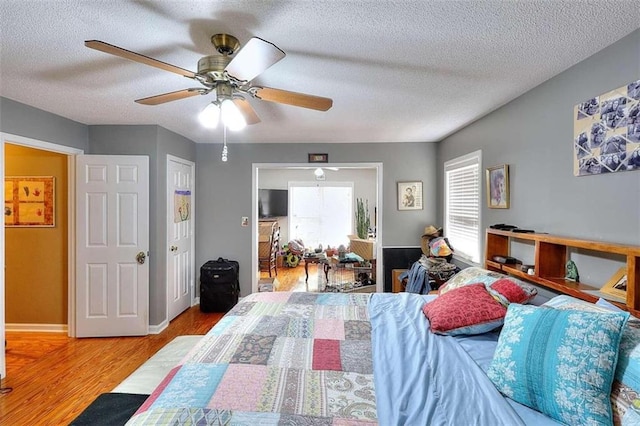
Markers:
(425, 379)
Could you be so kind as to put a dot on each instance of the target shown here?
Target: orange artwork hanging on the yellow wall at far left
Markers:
(29, 201)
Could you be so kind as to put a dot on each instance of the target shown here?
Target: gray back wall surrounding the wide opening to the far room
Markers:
(224, 192)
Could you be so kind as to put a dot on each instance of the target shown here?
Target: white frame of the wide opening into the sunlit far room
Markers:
(255, 179)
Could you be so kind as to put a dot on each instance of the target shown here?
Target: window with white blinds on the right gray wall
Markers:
(462, 205)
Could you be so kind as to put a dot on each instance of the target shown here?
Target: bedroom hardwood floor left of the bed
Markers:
(55, 377)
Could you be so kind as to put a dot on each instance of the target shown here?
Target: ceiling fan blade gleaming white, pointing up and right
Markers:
(255, 57)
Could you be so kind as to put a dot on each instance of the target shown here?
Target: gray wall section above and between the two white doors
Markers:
(155, 142)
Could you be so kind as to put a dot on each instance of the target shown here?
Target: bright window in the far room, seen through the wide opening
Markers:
(321, 213)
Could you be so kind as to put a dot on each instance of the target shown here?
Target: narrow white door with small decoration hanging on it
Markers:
(180, 248)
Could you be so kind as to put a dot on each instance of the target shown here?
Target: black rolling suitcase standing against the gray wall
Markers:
(219, 285)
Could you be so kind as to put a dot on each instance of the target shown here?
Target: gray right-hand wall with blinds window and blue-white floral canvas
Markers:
(534, 135)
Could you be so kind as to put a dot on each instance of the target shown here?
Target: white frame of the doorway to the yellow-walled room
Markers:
(71, 153)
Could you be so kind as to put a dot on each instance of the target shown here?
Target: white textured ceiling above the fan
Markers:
(398, 71)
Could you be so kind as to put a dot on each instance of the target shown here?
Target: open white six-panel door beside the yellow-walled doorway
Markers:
(112, 231)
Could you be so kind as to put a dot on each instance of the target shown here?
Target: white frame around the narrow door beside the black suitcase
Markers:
(194, 300)
